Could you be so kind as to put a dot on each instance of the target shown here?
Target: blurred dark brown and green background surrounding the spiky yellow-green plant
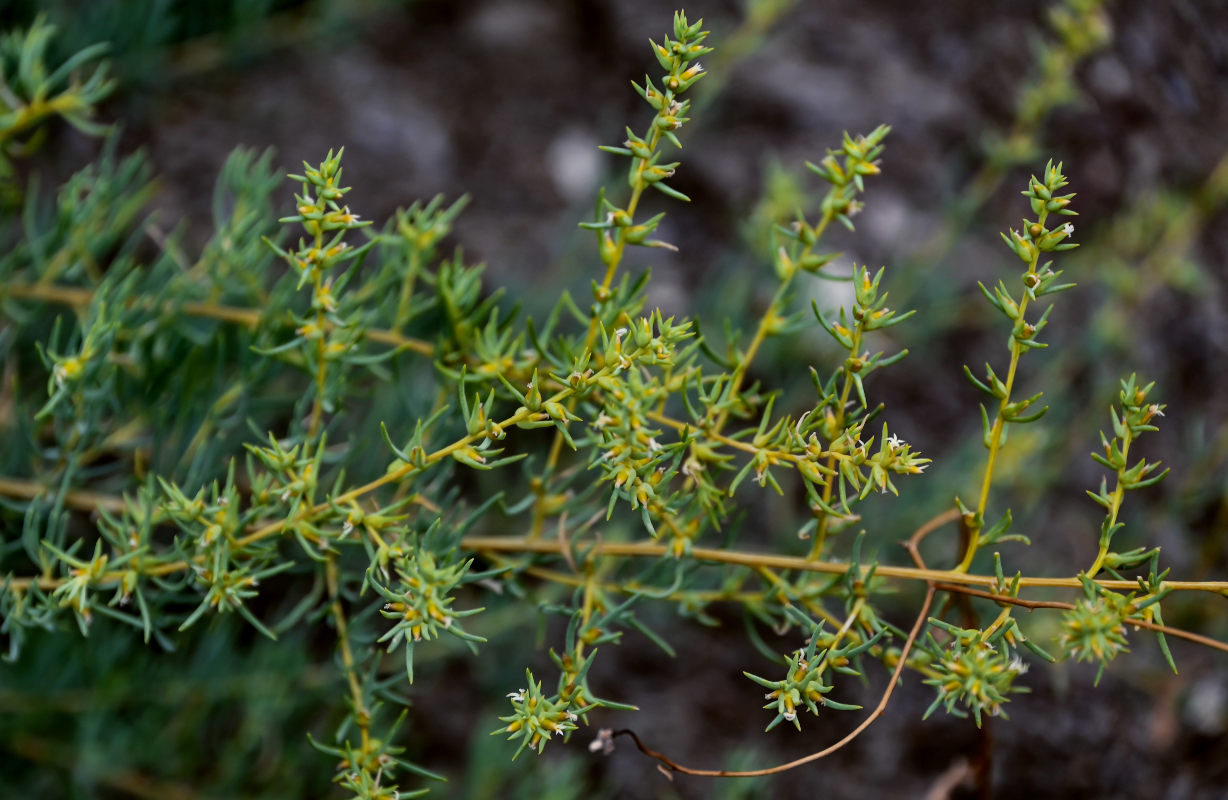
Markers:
(508, 101)
